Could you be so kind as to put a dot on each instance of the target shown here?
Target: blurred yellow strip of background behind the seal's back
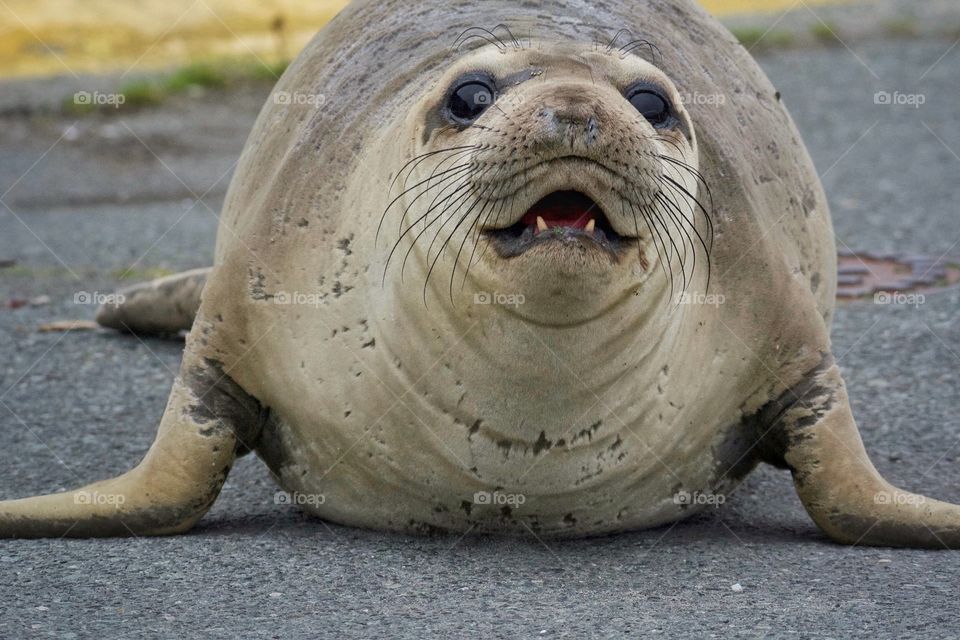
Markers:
(44, 37)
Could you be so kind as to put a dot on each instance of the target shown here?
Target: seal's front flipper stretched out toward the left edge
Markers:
(208, 422)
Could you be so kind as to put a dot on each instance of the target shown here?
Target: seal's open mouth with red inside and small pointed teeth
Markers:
(563, 216)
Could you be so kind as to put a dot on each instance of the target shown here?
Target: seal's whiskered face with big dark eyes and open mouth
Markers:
(564, 171)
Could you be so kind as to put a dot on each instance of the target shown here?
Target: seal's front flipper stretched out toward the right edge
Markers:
(811, 431)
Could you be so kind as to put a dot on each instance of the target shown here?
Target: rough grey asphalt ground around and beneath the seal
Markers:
(82, 406)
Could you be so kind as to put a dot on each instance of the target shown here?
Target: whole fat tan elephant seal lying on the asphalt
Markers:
(573, 274)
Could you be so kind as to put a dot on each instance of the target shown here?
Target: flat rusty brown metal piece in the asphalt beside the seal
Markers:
(863, 275)
